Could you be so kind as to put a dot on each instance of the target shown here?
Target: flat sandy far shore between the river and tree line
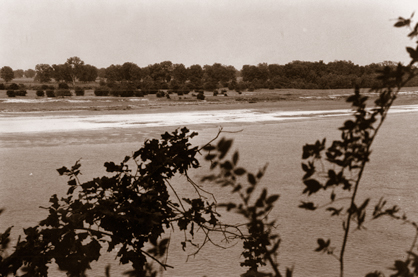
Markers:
(277, 100)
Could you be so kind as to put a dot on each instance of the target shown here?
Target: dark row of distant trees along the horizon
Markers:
(166, 75)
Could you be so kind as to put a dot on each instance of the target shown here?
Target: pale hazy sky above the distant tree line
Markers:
(230, 32)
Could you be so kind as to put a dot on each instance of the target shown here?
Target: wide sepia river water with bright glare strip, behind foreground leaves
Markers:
(32, 147)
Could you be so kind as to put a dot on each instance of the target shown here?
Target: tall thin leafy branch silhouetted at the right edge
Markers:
(347, 159)
